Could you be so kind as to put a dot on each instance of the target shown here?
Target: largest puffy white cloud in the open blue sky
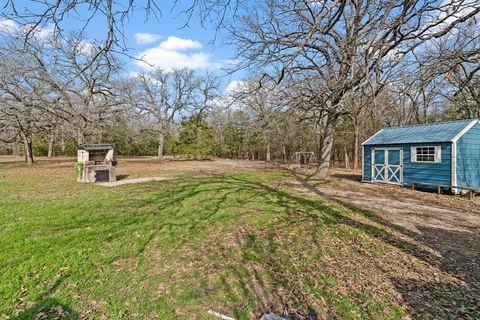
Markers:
(177, 53)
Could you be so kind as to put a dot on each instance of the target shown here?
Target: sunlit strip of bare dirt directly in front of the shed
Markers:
(413, 210)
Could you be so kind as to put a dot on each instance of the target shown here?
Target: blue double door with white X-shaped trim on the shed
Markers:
(387, 165)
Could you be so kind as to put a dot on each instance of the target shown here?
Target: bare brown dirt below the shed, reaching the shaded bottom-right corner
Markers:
(443, 231)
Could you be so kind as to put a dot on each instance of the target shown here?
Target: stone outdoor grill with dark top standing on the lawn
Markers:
(96, 163)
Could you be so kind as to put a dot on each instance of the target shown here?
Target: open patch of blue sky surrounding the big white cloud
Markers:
(167, 42)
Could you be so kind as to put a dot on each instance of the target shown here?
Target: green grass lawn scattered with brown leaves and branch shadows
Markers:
(240, 243)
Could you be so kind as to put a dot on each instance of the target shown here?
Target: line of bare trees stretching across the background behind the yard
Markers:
(321, 77)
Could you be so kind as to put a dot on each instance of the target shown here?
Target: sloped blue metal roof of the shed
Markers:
(424, 133)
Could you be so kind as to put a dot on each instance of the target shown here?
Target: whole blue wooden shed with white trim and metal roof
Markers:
(445, 153)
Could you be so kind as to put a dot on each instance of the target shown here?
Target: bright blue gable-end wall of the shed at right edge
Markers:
(468, 158)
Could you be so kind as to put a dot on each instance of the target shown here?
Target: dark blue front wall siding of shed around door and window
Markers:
(436, 173)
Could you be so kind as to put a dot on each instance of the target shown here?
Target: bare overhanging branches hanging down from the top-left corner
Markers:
(52, 14)
